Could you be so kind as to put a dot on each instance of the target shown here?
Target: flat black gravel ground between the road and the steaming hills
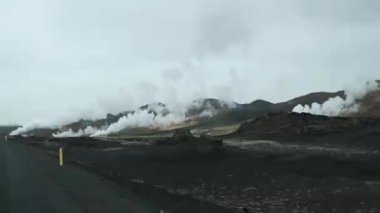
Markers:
(254, 176)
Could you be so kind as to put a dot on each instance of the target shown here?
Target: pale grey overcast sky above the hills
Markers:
(75, 58)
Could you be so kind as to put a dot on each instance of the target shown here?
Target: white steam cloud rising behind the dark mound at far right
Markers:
(338, 106)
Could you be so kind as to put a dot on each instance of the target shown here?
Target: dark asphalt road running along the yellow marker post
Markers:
(32, 181)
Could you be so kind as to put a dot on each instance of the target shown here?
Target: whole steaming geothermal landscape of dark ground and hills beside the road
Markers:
(315, 153)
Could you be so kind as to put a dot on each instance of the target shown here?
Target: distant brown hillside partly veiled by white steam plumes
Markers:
(202, 113)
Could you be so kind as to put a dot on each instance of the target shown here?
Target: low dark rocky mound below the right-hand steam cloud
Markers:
(288, 127)
